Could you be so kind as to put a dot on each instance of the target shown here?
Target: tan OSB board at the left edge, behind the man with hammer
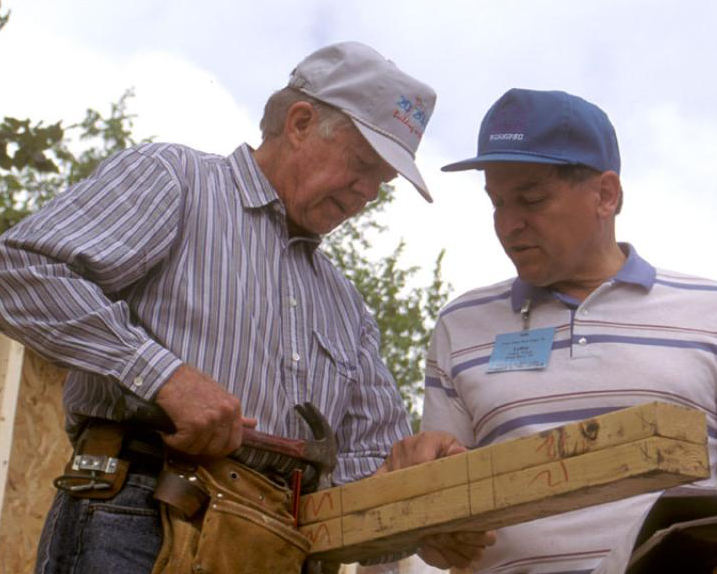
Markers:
(39, 451)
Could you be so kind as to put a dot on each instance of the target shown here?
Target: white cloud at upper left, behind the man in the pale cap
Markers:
(174, 99)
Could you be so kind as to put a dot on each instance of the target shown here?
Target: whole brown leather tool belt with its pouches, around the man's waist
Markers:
(218, 516)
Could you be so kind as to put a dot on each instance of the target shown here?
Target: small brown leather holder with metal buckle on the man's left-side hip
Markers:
(94, 470)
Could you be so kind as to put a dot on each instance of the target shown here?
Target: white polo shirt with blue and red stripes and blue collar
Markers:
(645, 335)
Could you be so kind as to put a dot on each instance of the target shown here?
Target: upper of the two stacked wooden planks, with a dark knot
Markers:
(573, 439)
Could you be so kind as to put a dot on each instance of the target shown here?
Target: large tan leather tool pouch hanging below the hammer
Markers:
(244, 525)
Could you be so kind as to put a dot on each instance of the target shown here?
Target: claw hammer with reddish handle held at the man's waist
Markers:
(319, 452)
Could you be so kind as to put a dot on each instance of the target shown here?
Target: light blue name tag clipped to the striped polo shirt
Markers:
(522, 350)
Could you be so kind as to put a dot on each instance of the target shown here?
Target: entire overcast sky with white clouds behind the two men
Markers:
(201, 72)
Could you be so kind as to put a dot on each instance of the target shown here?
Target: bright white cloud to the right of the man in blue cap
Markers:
(670, 180)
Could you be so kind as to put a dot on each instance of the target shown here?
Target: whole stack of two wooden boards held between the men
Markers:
(620, 454)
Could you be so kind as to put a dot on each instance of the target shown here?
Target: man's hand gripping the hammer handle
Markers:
(207, 418)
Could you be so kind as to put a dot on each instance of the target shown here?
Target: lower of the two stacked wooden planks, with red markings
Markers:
(642, 466)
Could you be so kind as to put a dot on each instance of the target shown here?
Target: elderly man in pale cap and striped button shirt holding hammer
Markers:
(196, 282)
